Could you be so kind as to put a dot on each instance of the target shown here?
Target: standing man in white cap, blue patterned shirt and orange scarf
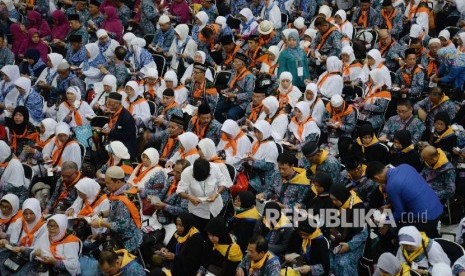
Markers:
(124, 220)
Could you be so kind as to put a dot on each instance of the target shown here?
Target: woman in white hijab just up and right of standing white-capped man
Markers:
(146, 170)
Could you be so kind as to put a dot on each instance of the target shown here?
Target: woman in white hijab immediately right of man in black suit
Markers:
(136, 104)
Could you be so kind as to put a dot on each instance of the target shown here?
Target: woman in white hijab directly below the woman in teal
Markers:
(288, 94)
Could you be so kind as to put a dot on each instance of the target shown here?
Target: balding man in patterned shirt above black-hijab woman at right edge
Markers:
(436, 102)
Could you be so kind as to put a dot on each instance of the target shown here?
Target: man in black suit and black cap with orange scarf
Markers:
(122, 126)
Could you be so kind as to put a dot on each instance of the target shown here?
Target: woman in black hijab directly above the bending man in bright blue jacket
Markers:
(403, 151)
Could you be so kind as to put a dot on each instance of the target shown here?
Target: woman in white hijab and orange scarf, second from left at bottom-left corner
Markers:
(25, 232)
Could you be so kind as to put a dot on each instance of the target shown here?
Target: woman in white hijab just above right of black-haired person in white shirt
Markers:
(234, 142)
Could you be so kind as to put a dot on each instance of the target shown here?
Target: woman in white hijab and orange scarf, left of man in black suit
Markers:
(74, 111)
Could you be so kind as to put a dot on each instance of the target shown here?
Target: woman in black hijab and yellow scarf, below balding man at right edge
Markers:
(442, 137)
